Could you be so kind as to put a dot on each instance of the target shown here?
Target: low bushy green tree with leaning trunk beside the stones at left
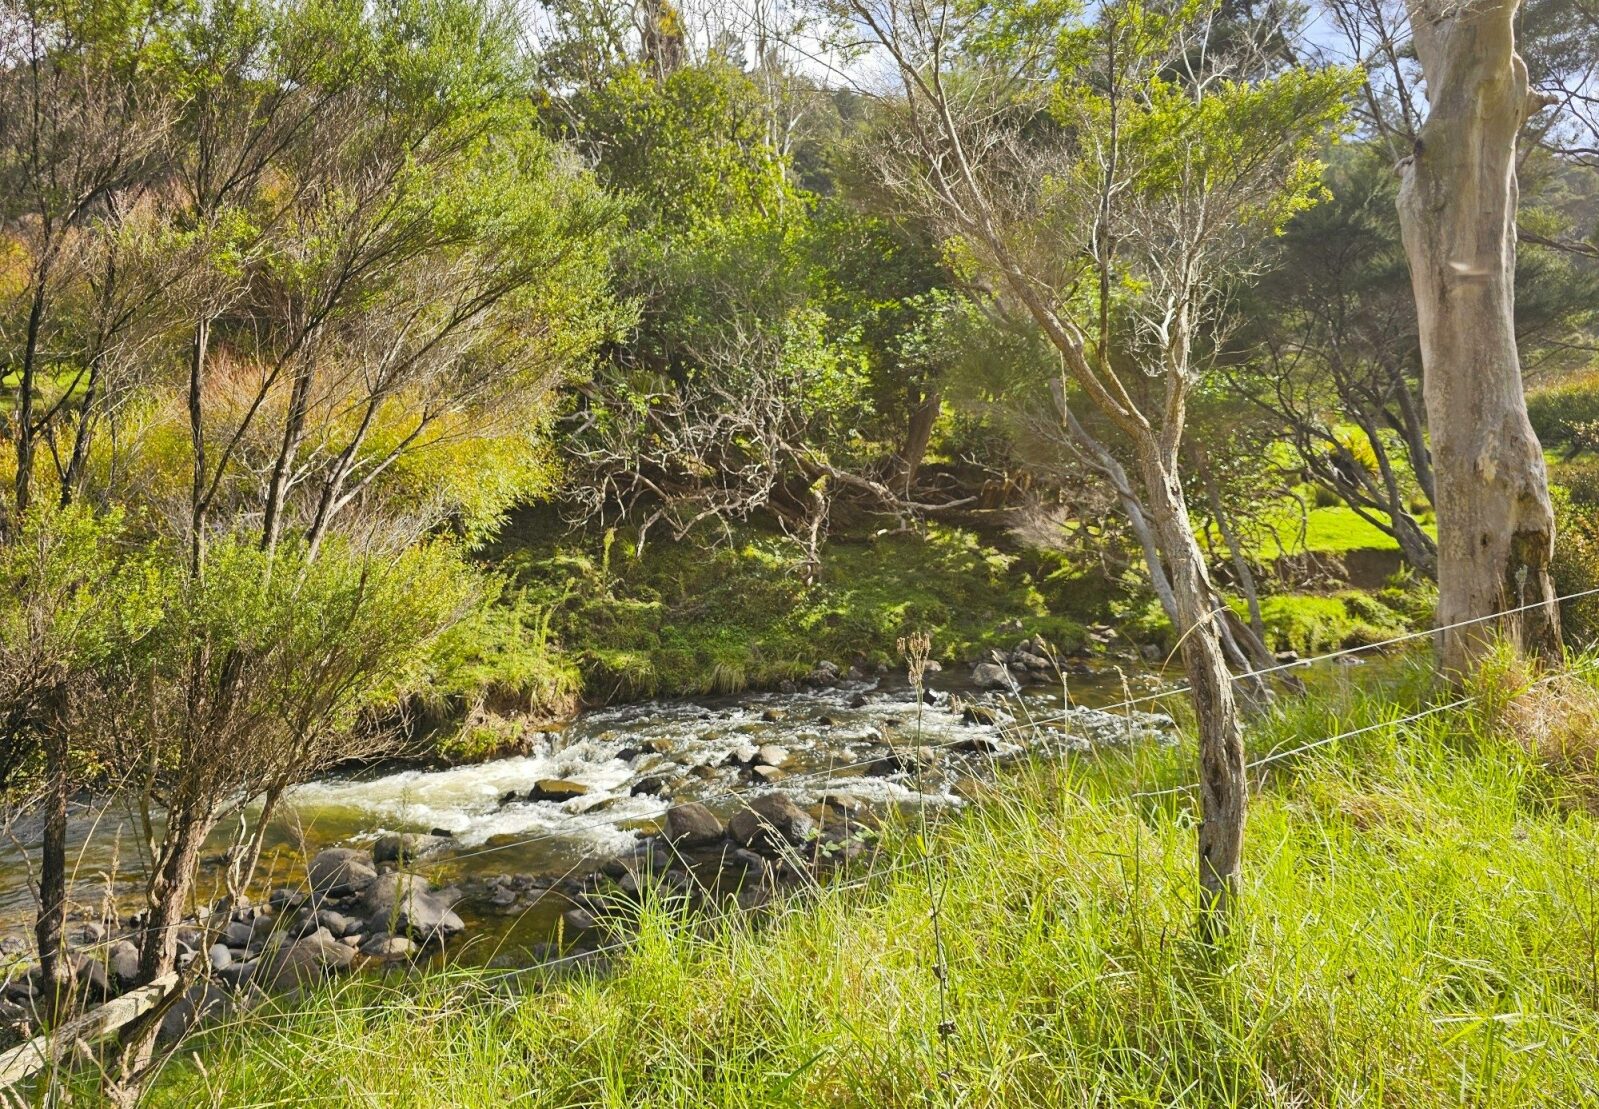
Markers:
(242, 683)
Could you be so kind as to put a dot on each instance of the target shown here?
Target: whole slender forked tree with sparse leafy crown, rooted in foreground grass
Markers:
(1117, 180)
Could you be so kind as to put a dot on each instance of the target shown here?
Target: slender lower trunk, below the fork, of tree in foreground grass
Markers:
(1222, 782)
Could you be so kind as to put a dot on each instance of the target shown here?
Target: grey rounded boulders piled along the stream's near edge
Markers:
(362, 908)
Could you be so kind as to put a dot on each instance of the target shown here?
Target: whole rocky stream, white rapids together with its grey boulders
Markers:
(517, 861)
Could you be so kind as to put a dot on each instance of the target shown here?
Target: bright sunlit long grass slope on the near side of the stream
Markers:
(1421, 929)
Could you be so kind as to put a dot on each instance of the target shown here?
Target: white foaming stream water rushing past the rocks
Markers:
(631, 765)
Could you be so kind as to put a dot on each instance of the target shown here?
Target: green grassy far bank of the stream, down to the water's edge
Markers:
(588, 621)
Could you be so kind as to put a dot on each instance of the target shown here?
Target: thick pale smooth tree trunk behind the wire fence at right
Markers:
(1457, 215)
